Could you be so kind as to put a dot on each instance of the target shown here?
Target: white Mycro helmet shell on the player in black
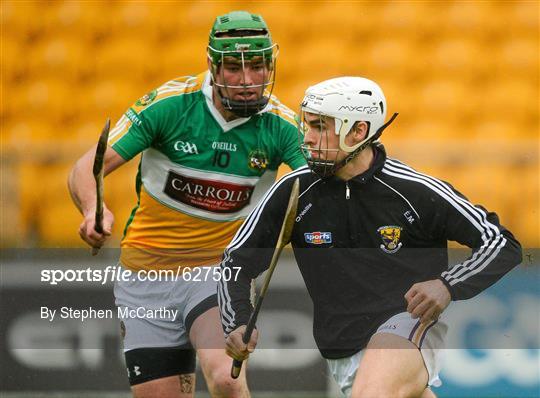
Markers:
(348, 100)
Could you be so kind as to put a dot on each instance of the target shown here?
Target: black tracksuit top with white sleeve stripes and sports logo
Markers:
(361, 244)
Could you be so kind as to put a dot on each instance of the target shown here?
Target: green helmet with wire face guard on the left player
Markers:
(244, 36)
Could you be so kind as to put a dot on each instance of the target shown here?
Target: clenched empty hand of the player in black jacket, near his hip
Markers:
(427, 300)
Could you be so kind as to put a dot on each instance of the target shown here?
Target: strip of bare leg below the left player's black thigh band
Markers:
(180, 386)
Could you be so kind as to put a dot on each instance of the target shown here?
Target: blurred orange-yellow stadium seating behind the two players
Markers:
(464, 76)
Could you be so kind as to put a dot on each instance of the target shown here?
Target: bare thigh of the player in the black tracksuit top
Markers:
(392, 366)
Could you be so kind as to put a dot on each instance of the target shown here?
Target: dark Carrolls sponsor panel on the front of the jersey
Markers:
(215, 196)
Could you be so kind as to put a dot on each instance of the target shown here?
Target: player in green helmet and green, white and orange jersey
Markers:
(206, 142)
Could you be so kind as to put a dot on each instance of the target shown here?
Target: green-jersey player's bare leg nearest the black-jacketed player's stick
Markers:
(207, 337)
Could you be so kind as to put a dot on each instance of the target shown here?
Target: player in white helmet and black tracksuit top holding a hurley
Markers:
(370, 239)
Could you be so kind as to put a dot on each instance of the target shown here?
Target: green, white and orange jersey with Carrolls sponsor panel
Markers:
(199, 175)
